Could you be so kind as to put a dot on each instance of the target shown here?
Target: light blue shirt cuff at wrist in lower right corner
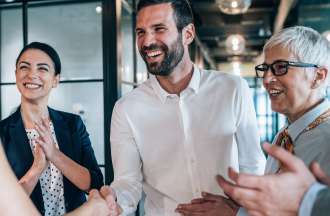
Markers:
(308, 200)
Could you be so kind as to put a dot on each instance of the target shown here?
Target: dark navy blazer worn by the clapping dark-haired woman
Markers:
(73, 140)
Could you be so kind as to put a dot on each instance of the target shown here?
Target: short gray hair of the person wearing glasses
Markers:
(306, 44)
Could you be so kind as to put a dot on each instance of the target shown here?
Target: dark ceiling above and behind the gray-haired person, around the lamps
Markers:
(256, 25)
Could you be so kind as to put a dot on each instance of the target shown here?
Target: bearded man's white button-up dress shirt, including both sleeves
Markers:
(173, 146)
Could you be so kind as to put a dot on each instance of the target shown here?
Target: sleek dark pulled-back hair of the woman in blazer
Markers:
(50, 51)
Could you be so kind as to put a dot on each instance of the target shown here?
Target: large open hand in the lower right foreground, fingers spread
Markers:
(276, 194)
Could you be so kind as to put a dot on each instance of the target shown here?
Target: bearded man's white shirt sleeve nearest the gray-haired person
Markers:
(250, 156)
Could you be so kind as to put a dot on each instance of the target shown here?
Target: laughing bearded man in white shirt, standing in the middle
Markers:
(175, 132)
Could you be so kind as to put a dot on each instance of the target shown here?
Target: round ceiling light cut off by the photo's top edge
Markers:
(233, 6)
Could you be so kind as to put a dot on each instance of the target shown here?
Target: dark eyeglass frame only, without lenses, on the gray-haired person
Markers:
(288, 63)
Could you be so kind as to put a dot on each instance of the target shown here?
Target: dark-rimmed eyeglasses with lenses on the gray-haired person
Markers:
(279, 67)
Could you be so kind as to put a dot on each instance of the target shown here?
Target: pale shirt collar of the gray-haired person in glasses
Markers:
(300, 124)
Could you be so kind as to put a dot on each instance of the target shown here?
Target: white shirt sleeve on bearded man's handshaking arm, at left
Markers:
(126, 161)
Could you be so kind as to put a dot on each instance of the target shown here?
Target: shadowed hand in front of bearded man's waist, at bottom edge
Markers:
(208, 205)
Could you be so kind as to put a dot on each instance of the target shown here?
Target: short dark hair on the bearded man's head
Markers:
(183, 15)
